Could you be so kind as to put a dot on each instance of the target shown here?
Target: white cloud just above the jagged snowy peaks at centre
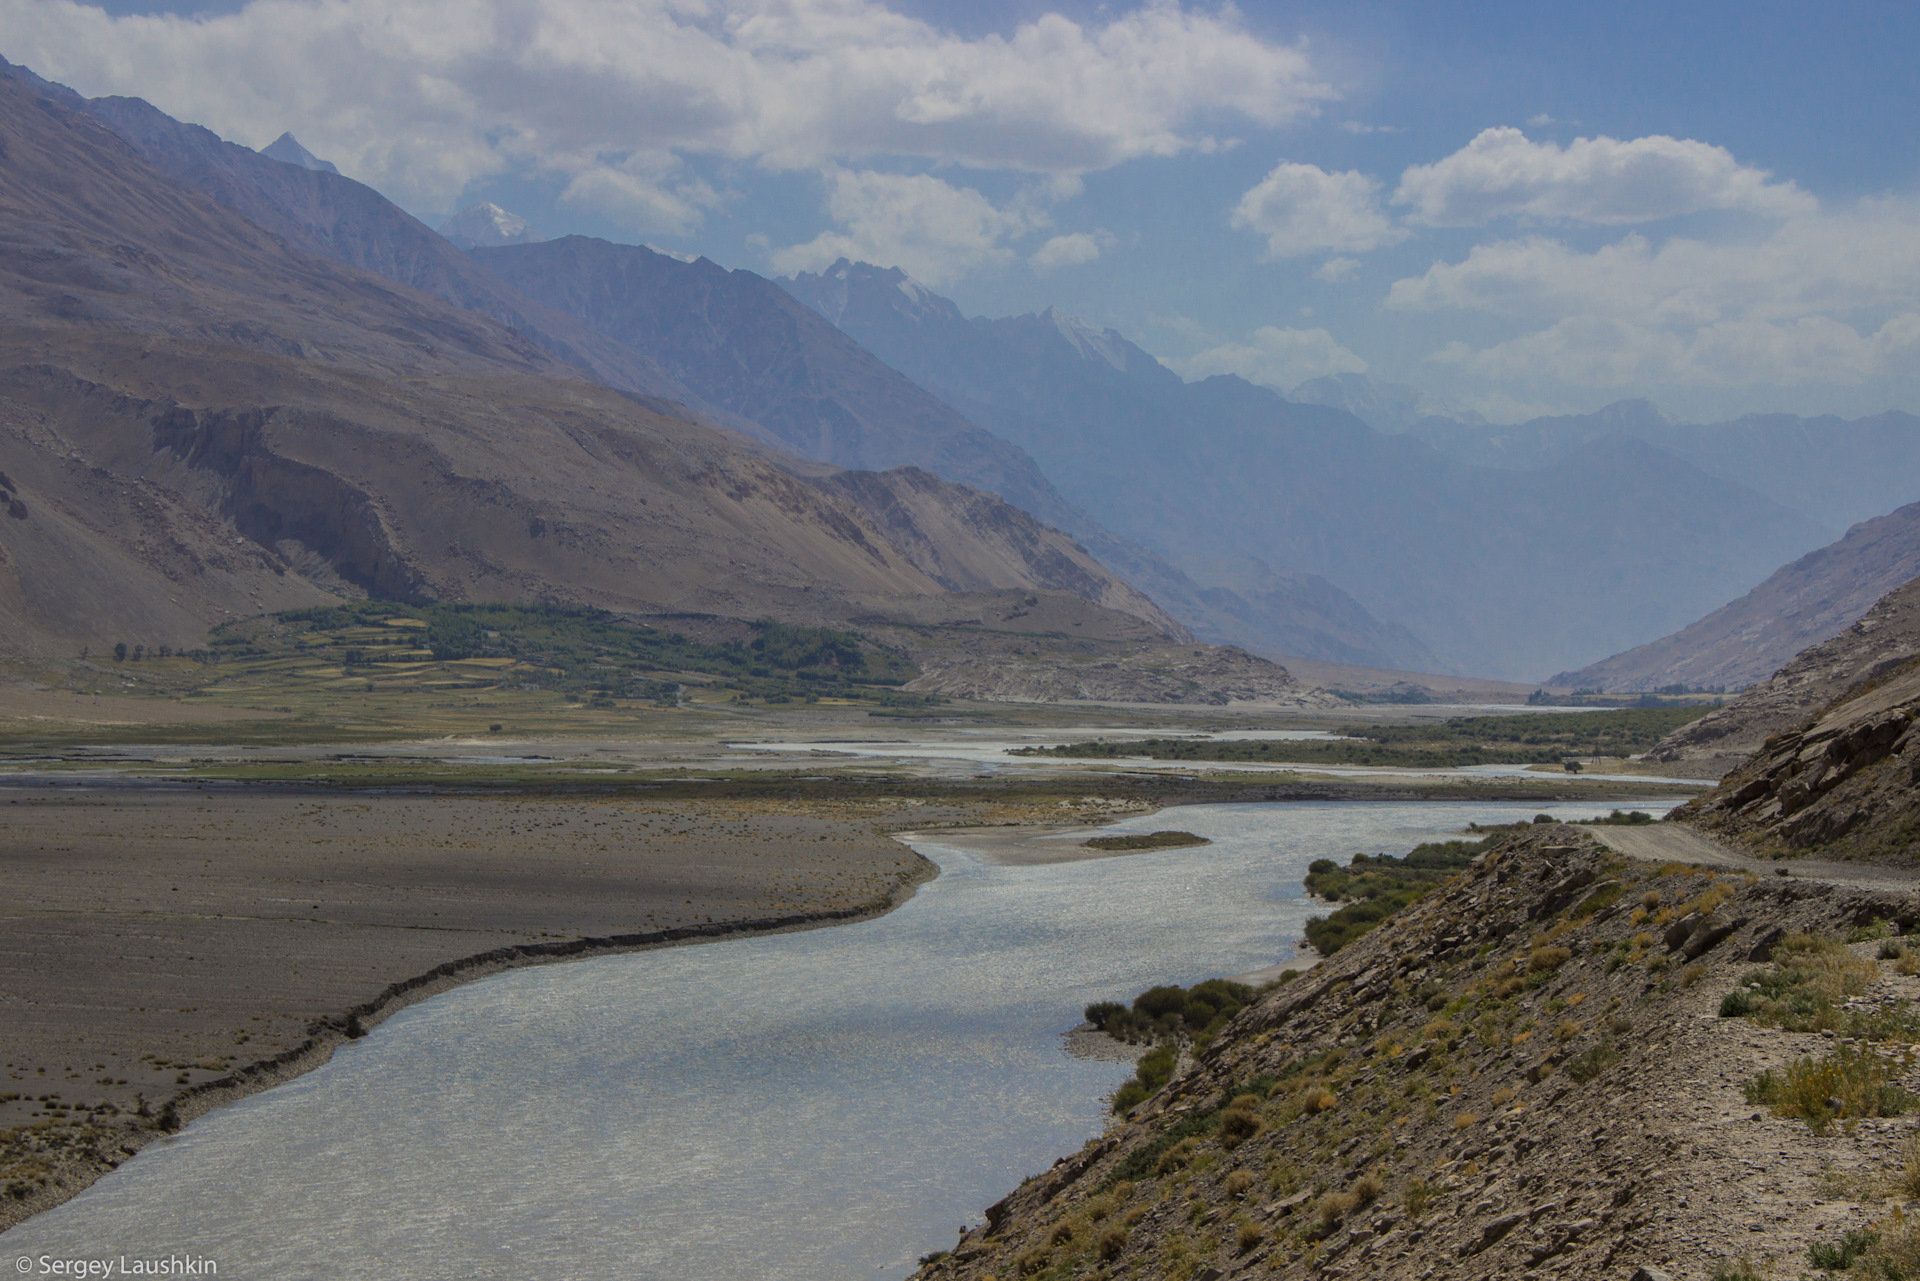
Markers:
(930, 230)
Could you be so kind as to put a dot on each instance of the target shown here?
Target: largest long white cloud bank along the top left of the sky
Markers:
(425, 97)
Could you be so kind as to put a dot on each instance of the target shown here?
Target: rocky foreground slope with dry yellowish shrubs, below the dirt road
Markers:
(1520, 1076)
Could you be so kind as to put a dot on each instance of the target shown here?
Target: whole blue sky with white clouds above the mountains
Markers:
(1512, 206)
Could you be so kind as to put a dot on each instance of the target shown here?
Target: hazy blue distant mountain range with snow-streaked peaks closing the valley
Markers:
(1497, 571)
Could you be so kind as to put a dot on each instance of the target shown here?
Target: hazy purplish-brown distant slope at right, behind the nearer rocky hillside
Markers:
(1756, 637)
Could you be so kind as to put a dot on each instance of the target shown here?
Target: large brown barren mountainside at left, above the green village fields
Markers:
(312, 408)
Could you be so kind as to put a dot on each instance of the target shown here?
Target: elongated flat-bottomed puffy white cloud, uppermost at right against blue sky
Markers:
(1604, 181)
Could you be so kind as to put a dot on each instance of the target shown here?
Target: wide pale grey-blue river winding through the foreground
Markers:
(811, 1105)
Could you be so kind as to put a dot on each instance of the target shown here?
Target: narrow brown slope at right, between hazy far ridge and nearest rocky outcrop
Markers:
(1883, 640)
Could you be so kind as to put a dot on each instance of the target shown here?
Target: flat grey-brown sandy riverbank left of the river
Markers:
(178, 948)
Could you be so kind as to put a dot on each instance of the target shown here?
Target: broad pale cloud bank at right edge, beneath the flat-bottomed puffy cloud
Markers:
(1829, 299)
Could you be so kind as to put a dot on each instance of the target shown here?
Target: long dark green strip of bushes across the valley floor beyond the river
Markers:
(1545, 738)
